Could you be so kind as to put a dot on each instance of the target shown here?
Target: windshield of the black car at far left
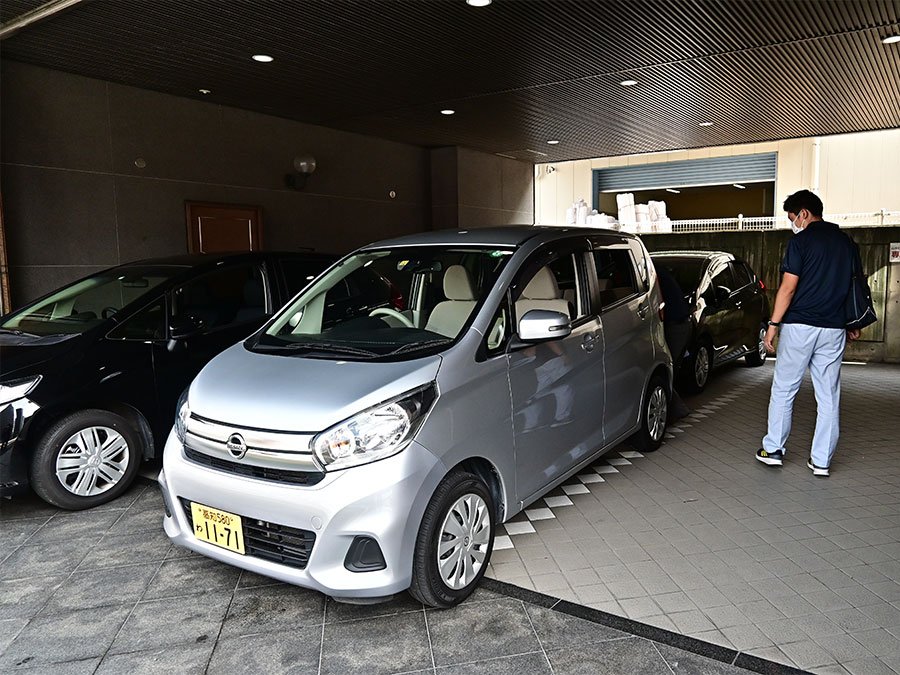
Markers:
(86, 303)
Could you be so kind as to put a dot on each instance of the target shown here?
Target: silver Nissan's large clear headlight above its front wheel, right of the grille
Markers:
(376, 433)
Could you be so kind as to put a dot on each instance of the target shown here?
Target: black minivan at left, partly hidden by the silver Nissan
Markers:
(90, 373)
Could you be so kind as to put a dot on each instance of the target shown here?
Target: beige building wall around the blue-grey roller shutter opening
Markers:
(857, 173)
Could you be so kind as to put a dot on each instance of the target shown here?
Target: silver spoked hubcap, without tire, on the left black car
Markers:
(92, 461)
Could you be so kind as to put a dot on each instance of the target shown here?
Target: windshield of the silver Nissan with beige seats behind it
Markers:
(387, 303)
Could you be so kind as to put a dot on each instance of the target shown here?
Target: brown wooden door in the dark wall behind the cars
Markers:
(217, 228)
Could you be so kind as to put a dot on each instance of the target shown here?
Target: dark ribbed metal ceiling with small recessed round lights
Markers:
(518, 72)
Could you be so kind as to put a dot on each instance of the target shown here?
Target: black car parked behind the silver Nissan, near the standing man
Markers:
(729, 311)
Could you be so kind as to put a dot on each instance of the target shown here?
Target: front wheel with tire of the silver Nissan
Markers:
(462, 500)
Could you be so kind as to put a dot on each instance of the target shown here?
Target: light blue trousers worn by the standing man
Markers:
(819, 349)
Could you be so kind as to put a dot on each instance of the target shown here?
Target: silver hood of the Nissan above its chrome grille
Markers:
(297, 394)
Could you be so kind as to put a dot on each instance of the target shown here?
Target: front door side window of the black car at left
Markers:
(221, 298)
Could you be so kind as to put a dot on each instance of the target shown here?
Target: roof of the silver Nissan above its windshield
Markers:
(512, 235)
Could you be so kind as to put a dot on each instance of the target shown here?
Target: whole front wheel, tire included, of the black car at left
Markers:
(86, 459)
